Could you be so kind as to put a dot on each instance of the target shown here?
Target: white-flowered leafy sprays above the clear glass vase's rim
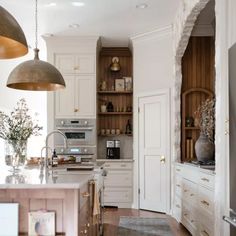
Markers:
(19, 125)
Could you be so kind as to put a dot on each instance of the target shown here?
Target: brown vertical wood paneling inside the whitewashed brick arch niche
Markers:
(198, 72)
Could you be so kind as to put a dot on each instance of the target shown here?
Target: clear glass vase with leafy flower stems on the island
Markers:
(16, 129)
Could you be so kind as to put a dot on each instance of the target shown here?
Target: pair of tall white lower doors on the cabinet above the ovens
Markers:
(78, 99)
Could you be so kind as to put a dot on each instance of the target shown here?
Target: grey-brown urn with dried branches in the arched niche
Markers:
(204, 146)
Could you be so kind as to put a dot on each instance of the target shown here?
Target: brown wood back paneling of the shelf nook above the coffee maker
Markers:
(121, 100)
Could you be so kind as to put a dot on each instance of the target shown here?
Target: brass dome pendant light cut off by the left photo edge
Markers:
(12, 39)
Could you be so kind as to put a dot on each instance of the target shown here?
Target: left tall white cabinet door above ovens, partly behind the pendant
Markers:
(65, 99)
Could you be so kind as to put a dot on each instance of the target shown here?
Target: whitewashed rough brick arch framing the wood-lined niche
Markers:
(184, 23)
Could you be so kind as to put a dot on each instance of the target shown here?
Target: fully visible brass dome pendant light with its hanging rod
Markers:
(36, 75)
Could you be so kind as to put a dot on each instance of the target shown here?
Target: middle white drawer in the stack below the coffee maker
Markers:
(118, 179)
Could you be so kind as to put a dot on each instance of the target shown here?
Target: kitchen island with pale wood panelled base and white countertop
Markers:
(67, 193)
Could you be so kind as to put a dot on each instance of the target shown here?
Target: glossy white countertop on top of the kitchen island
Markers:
(33, 178)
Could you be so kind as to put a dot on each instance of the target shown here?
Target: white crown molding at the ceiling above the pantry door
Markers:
(153, 34)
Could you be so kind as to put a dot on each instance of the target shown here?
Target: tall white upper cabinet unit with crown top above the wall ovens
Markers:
(75, 57)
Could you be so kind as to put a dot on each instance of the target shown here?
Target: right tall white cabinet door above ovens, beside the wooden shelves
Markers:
(85, 96)
